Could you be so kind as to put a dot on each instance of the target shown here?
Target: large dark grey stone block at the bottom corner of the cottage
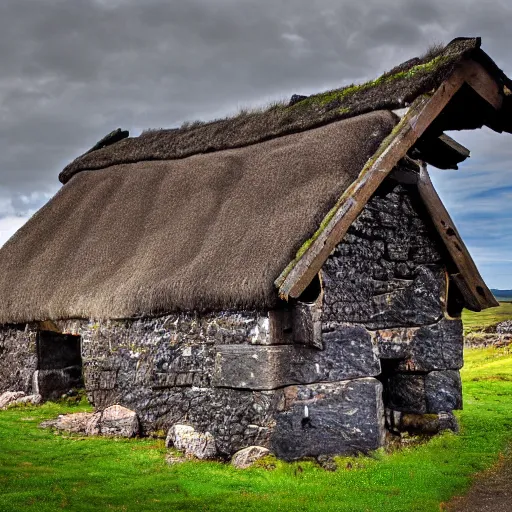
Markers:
(329, 419)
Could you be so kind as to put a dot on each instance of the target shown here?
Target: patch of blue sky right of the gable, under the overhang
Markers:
(479, 199)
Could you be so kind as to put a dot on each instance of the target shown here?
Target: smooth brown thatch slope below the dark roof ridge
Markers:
(205, 232)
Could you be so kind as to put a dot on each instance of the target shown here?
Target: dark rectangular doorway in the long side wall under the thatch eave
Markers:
(59, 364)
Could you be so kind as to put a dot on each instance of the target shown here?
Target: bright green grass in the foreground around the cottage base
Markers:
(43, 471)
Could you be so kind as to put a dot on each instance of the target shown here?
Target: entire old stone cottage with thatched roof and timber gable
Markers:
(281, 278)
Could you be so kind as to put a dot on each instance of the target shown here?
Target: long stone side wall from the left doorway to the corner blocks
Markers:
(220, 373)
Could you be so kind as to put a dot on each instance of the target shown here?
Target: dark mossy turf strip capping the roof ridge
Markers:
(395, 89)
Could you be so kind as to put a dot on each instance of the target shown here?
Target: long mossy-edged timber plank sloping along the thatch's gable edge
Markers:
(423, 111)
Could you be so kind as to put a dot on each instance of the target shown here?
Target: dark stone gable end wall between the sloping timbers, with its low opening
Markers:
(388, 275)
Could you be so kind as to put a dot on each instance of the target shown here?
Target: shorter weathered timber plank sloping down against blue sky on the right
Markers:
(477, 294)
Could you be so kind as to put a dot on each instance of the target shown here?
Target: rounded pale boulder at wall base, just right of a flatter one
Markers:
(114, 421)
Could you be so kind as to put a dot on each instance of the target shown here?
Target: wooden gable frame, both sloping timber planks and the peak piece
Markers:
(313, 254)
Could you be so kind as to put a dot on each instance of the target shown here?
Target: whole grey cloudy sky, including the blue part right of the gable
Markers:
(71, 71)
